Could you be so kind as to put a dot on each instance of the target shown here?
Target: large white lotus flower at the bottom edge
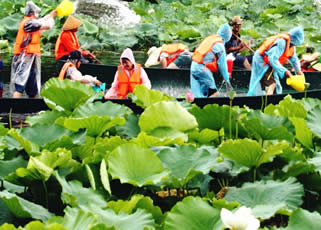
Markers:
(242, 219)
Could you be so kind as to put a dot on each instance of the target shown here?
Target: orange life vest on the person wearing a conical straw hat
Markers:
(60, 48)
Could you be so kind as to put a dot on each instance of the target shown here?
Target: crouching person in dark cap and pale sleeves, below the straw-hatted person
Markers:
(70, 70)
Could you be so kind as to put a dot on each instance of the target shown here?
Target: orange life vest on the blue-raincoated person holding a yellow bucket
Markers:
(289, 51)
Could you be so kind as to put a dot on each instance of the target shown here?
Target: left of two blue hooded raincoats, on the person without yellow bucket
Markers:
(201, 78)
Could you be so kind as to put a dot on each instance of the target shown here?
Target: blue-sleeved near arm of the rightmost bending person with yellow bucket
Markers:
(274, 54)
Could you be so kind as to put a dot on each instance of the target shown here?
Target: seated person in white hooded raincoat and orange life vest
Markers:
(129, 74)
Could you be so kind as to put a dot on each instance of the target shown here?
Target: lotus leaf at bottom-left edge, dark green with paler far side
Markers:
(22, 208)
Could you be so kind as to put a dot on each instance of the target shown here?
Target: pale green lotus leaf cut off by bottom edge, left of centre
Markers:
(76, 218)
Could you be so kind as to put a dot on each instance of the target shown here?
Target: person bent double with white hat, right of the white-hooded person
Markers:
(172, 56)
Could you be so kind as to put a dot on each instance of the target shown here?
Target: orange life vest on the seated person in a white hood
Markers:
(127, 84)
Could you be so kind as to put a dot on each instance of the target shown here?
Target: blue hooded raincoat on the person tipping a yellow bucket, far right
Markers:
(259, 68)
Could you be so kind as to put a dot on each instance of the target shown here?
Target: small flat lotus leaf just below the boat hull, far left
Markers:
(44, 118)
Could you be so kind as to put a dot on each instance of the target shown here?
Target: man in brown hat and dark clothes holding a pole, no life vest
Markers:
(235, 45)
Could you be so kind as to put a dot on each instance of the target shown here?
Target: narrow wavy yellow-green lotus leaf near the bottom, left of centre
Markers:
(136, 202)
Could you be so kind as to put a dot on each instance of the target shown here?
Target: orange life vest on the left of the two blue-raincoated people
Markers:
(203, 48)
